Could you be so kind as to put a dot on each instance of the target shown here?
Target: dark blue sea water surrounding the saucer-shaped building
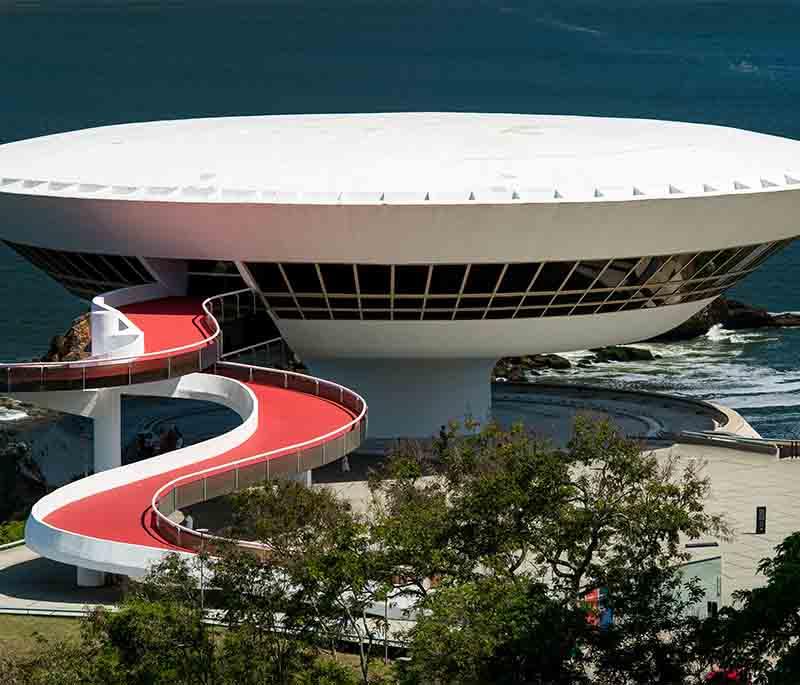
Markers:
(68, 65)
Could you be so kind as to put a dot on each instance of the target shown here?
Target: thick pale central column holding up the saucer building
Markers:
(413, 398)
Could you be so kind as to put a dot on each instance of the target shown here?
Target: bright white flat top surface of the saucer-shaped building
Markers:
(437, 158)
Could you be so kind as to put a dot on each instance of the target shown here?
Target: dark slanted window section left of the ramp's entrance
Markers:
(86, 274)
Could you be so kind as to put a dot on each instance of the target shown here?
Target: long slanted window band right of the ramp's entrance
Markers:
(432, 292)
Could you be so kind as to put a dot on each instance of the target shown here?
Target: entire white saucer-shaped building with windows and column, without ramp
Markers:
(402, 254)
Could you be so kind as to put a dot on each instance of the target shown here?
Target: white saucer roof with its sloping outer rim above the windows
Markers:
(413, 188)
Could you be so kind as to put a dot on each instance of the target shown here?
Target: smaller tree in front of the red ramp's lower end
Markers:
(318, 555)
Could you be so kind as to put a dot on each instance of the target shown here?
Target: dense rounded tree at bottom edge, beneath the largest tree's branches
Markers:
(499, 630)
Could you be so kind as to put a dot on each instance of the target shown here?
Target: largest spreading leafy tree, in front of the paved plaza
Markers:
(495, 505)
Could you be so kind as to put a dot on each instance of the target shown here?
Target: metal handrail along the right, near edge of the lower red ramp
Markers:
(165, 490)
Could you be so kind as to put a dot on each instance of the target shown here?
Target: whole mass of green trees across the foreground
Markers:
(495, 557)
